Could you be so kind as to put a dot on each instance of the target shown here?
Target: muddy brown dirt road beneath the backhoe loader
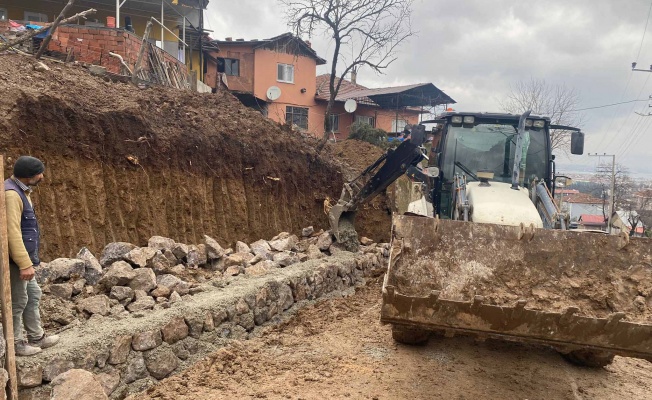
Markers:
(337, 349)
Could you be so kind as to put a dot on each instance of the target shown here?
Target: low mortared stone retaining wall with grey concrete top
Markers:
(131, 353)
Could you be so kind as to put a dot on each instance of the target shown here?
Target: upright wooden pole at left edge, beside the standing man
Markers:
(5, 295)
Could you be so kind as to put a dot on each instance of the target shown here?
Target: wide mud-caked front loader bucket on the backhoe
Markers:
(574, 291)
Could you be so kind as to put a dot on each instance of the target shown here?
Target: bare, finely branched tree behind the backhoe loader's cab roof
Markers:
(555, 101)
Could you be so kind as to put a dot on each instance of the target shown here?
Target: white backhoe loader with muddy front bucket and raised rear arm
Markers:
(485, 250)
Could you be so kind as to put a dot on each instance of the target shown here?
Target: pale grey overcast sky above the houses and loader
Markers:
(474, 49)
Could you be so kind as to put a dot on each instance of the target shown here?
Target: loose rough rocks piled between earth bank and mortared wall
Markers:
(131, 279)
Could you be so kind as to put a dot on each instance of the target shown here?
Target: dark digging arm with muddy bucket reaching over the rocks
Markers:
(373, 180)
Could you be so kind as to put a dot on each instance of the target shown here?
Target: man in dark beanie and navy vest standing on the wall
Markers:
(23, 240)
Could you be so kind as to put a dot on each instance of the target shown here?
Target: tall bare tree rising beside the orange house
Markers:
(369, 30)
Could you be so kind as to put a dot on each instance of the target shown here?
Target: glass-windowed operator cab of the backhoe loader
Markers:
(484, 144)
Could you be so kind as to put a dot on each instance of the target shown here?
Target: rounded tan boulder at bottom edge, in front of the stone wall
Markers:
(77, 384)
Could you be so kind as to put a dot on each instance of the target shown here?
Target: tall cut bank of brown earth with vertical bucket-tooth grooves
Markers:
(124, 164)
